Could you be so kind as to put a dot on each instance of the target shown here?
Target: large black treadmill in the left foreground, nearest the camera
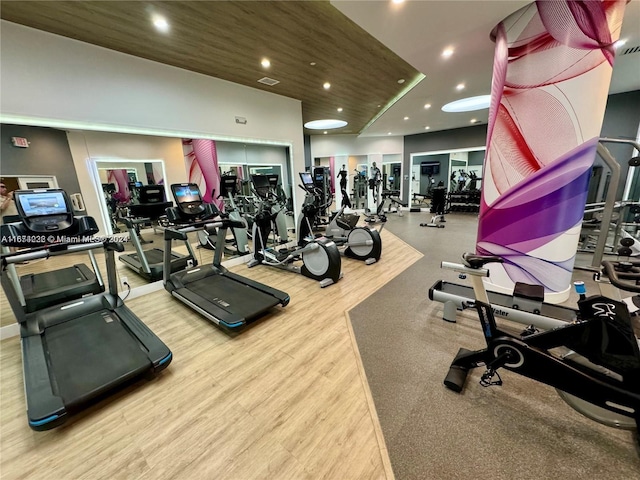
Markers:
(77, 351)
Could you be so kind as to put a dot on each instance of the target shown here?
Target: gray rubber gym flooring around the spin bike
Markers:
(521, 430)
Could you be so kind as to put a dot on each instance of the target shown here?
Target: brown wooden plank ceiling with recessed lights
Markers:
(228, 39)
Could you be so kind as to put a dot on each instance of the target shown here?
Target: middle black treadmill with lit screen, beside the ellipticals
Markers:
(226, 299)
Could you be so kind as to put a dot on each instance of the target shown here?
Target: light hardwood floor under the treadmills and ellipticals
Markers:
(284, 399)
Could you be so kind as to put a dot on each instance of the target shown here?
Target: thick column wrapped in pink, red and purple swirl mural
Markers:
(552, 68)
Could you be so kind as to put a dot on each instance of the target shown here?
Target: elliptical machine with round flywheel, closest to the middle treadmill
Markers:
(320, 257)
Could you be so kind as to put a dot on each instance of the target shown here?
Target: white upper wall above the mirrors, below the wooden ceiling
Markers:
(53, 81)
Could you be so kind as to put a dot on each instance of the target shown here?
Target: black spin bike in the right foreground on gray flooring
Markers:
(595, 363)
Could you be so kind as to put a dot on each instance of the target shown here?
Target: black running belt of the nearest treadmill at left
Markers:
(90, 353)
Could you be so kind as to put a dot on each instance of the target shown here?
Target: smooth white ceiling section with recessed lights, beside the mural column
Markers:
(418, 31)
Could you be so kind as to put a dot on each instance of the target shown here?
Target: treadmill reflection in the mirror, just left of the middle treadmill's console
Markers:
(149, 263)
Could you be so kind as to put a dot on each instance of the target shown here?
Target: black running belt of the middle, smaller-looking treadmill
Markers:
(234, 297)
